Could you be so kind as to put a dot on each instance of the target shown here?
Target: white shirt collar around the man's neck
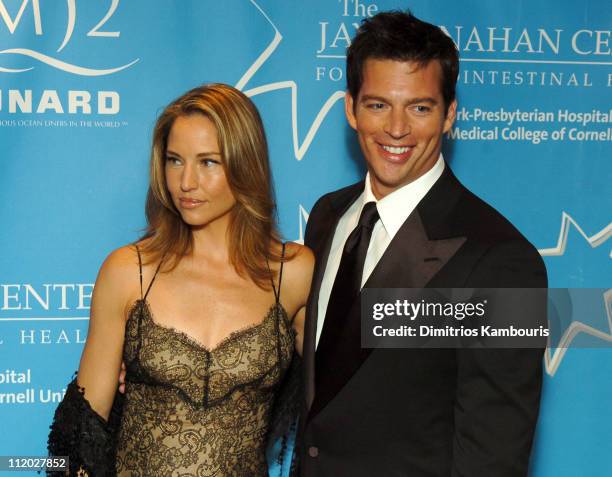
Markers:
(395, 208)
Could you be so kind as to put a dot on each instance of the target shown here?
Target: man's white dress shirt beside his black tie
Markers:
(393, 210)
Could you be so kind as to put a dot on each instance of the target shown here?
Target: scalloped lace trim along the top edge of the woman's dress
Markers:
(197, 344)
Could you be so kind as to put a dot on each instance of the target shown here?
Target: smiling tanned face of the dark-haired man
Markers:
(399, 118)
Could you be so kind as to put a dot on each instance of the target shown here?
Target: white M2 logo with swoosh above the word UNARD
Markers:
(97, 30)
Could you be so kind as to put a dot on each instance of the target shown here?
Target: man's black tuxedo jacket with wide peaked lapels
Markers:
(422, 412)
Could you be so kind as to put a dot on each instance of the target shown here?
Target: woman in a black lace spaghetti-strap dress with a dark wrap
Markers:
(205, 311)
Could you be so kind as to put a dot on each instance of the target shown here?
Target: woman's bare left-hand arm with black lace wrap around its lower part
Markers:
(81, 428)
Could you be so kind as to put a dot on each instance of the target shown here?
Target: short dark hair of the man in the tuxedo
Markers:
(401, 36)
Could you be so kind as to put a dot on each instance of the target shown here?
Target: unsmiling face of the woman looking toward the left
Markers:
(195, 176)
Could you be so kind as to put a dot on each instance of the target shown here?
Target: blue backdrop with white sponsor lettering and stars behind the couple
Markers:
(81, 84)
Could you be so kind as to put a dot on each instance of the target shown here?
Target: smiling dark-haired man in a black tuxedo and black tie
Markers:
(433, 412)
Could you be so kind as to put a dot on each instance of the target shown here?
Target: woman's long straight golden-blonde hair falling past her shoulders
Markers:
(244, 151)
